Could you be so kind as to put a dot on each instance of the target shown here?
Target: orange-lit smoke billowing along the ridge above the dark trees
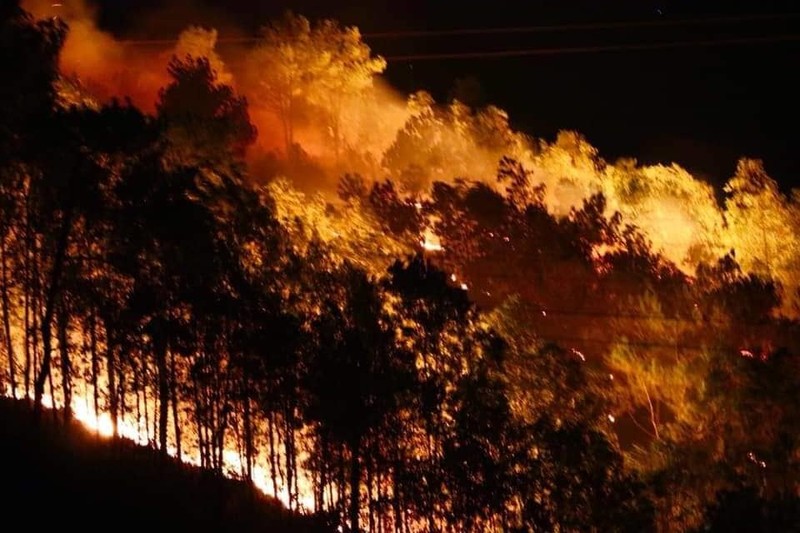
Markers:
(378, 133)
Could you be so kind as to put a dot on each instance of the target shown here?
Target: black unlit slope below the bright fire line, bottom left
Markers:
(70, 477)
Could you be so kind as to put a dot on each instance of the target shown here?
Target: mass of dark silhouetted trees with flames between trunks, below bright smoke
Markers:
(538, 373)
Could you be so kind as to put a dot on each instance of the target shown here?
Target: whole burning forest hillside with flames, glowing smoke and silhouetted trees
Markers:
(399, 312)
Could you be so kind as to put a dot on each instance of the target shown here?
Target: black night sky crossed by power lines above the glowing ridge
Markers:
(702, 106)
